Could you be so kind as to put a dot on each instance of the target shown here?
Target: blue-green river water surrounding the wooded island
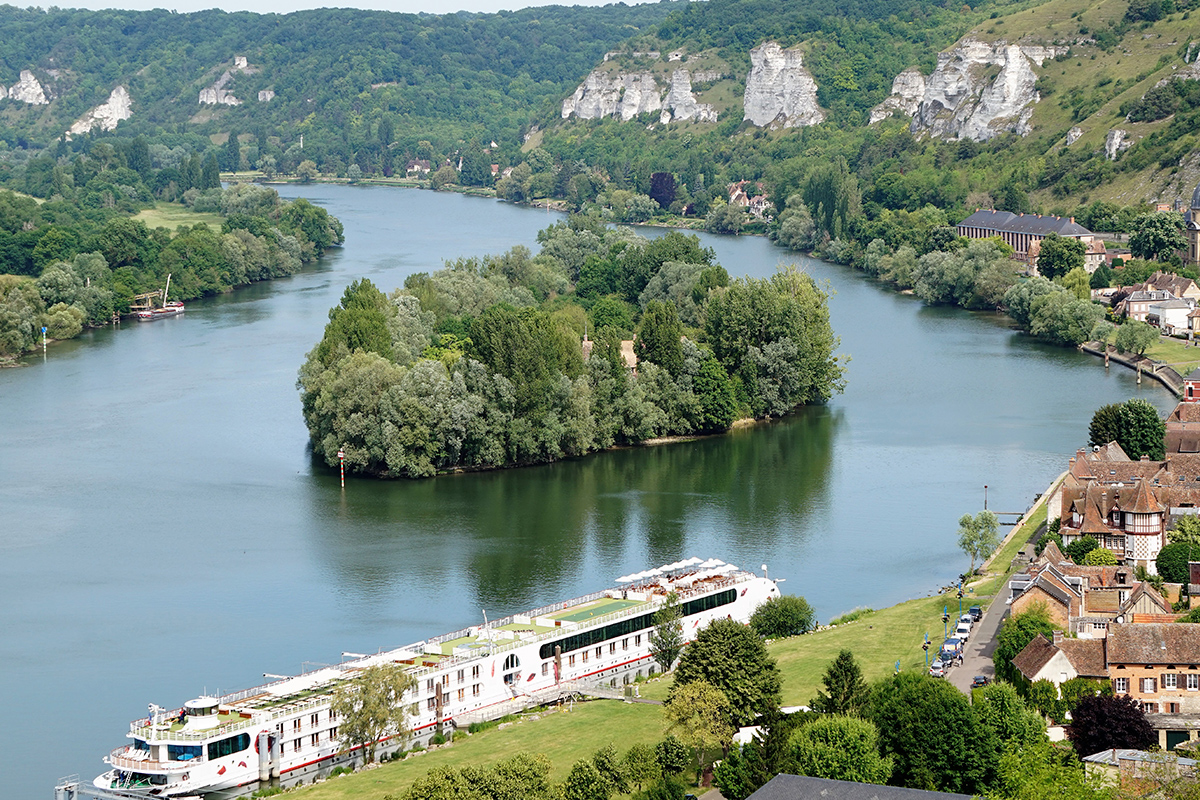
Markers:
(165, 533)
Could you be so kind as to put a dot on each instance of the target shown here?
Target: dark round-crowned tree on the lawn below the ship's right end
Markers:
(731, 658)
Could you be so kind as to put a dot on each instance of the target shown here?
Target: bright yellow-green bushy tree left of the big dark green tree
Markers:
(842, 749)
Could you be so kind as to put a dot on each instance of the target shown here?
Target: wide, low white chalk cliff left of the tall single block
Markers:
(626, 95)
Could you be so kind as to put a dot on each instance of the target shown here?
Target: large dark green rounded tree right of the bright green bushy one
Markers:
(932, 732)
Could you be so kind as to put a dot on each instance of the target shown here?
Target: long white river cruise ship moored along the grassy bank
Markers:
(285, 733)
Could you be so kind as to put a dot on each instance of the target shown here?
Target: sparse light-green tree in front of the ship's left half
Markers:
(373, 706)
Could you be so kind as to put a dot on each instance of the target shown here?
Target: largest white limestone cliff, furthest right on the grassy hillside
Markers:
(963, 100)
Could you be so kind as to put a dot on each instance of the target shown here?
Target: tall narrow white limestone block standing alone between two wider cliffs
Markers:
(781, 93)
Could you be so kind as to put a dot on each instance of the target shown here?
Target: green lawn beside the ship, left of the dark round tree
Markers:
(565, 737)
